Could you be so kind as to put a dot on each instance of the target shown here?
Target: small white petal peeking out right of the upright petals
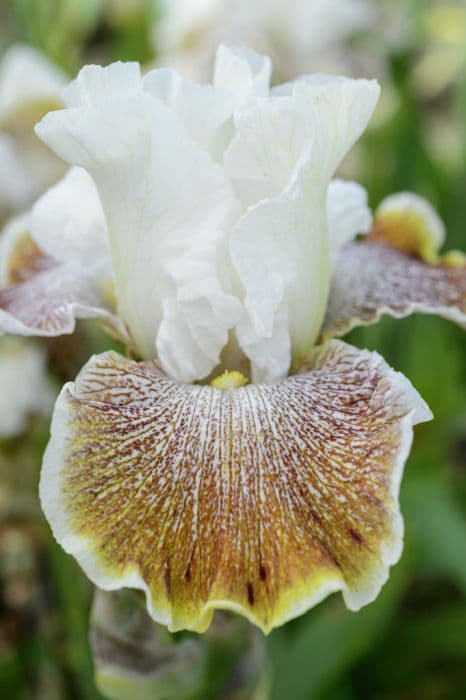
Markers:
(348, 214)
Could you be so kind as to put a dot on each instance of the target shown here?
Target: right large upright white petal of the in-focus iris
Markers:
(280, 247)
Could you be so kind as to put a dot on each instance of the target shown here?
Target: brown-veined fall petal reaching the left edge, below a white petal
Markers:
(43, 297)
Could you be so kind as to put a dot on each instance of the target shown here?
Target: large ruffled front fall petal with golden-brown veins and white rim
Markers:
(262, 500)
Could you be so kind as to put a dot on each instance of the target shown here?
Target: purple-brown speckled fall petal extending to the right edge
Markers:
(371, 280)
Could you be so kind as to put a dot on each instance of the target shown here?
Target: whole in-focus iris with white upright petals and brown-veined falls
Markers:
(240, 457)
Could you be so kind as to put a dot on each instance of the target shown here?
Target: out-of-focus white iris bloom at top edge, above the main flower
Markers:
(187, 29)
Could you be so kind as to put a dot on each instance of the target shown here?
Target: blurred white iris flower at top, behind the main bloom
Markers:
(331, 35)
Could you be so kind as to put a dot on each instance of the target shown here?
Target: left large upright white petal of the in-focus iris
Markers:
(165, 201)
